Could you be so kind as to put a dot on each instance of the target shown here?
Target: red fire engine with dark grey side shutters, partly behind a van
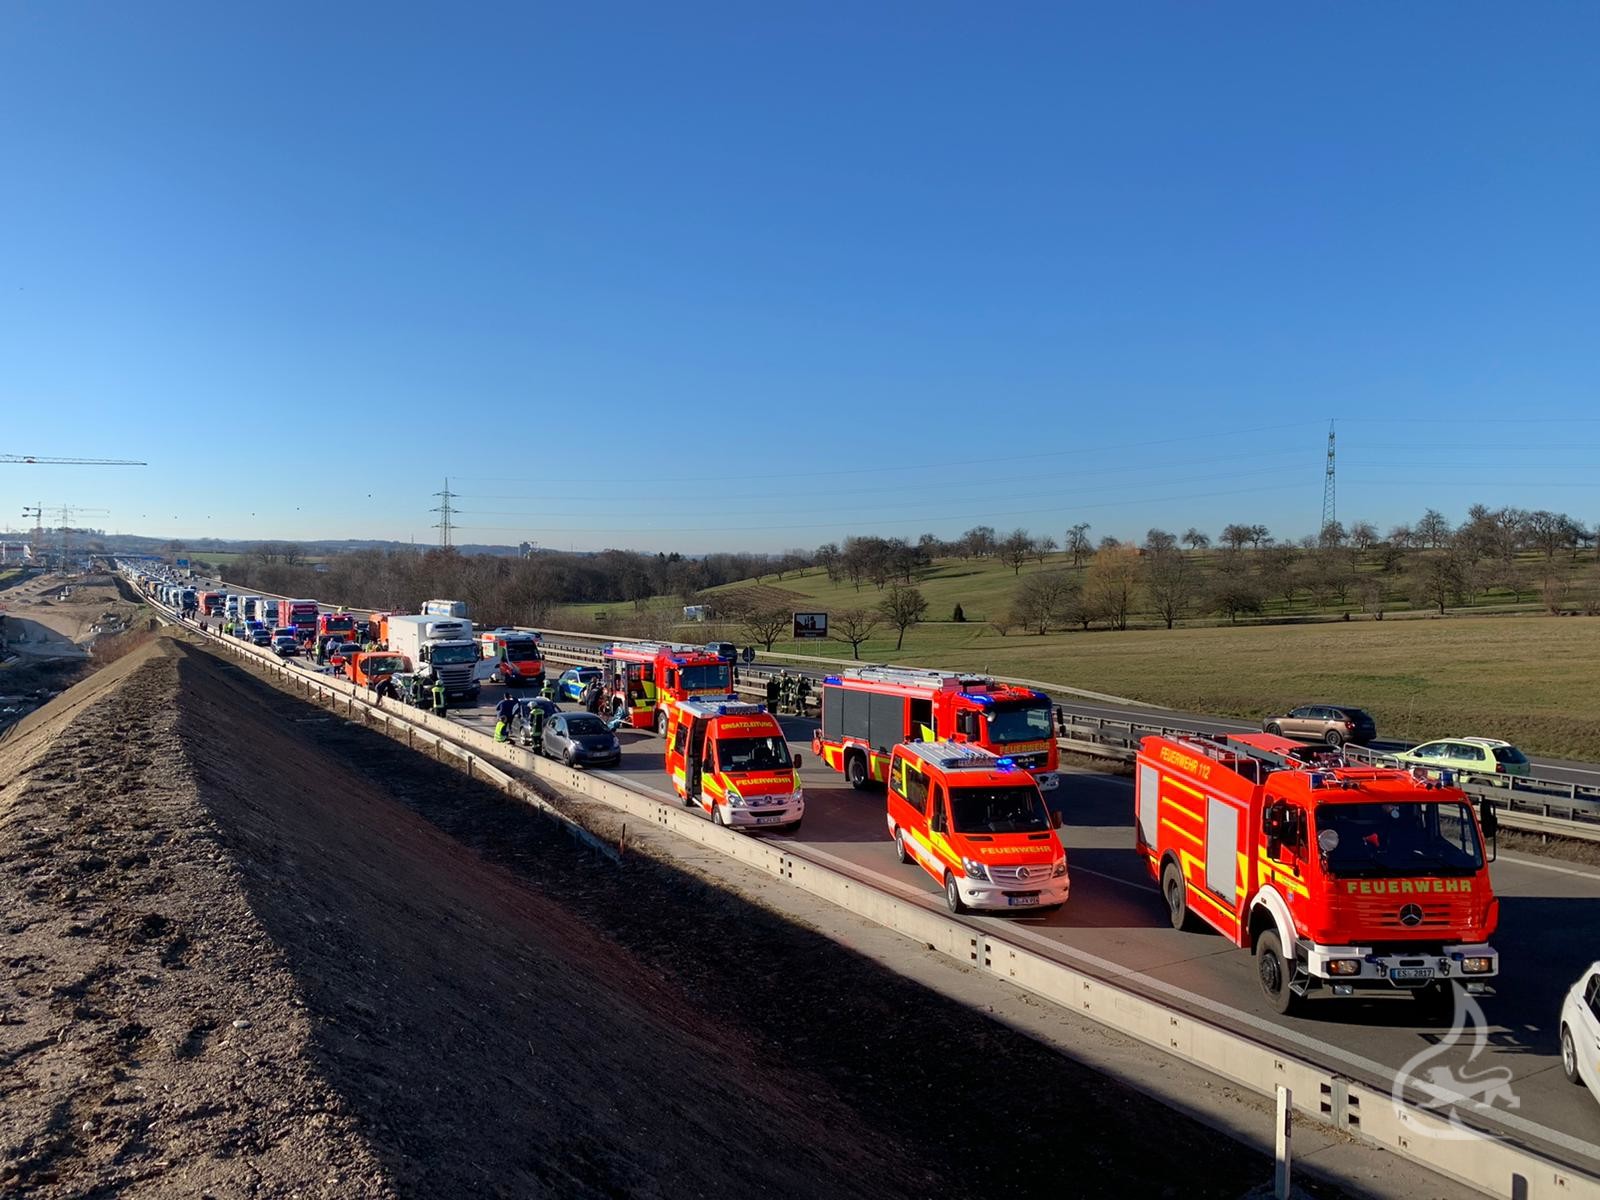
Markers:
(870, 711)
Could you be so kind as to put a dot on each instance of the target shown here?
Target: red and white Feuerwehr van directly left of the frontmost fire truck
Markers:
(978, 825)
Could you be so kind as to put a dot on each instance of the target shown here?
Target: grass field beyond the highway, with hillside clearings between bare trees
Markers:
(1522, 678)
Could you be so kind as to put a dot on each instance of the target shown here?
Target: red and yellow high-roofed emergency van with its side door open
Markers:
(732, 761)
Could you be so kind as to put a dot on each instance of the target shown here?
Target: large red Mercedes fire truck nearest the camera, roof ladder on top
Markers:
(1340, 879)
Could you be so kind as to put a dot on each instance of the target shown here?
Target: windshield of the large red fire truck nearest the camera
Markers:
(1410, 839)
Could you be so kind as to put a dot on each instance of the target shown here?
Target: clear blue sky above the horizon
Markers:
(746, 278)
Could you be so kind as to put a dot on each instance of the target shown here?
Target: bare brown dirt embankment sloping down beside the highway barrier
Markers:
(258, 951)
